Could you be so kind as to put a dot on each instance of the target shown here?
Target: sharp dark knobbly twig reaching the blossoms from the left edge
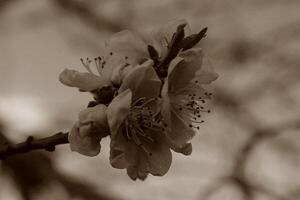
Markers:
(48, 143)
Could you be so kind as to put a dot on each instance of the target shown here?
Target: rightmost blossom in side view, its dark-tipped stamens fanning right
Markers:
(183, 97)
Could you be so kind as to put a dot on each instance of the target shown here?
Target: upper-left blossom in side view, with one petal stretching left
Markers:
(122, 50)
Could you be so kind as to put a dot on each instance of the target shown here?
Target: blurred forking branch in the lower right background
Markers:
(259, 134)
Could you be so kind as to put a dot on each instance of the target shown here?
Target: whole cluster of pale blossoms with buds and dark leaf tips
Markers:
(148, 98)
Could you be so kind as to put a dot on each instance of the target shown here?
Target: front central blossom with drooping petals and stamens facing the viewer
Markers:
(137, 133)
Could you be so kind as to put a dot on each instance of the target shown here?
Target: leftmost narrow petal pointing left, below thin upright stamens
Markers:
(83, 81)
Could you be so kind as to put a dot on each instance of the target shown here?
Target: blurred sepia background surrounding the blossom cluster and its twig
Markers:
(249, 147)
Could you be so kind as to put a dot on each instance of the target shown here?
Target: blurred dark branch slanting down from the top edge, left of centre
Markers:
(84, 11)
